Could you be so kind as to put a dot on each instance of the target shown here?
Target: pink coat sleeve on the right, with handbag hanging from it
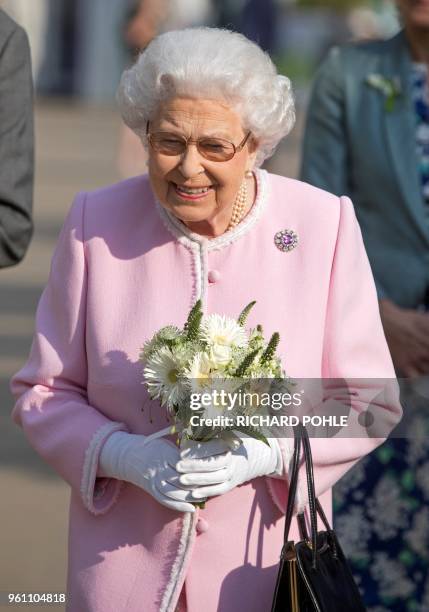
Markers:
(355, 351)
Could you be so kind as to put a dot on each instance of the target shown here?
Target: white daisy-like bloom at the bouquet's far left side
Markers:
(162, 374)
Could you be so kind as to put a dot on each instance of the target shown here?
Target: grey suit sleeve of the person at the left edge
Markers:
(16, 147)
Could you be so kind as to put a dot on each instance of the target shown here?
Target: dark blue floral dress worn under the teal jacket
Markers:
(381, 507)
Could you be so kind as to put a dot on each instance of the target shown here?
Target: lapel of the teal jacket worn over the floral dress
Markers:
(400, 131)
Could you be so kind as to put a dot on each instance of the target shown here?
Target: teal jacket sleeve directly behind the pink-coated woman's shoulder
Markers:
(325, 154)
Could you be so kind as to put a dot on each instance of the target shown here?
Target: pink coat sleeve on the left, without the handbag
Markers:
(50, 390)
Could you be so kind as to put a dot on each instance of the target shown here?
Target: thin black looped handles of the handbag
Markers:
(315, 508)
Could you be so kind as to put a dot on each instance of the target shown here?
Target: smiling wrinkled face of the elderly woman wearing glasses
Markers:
(172, 177)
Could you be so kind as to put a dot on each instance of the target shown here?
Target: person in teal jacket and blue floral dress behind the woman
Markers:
(367, 136)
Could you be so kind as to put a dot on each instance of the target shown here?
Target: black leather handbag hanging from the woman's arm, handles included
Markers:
(313, 575)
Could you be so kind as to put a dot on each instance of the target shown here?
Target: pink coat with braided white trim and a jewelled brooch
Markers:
(122, 269)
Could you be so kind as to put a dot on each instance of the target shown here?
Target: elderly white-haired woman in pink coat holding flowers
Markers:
(131, 258)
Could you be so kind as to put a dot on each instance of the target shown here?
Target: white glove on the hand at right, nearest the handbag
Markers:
(213, 468)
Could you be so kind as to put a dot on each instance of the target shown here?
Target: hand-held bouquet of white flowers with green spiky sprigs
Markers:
(212, 358)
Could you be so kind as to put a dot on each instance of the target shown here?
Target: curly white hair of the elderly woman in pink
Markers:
(210, 63)
